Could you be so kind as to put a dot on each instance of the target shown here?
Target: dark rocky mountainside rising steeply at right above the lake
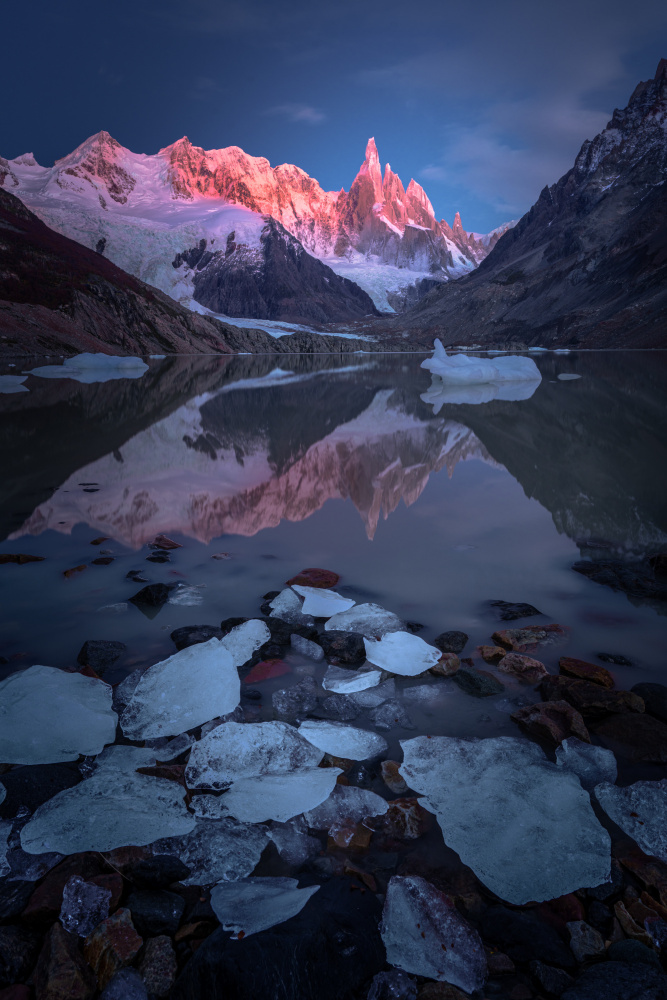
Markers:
(587, 265)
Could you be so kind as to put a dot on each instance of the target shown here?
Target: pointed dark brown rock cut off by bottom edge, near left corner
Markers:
(61, 973)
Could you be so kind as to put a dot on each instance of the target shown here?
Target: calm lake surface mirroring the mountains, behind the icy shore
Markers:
(431, 509)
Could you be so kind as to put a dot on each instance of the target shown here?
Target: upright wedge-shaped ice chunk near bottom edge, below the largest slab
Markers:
(424, 933)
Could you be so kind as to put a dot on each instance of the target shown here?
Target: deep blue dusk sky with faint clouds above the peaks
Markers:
(482, 103)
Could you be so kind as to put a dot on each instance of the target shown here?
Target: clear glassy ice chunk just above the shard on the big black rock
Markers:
(217, 849)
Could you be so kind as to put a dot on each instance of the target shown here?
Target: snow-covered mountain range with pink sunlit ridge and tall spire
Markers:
(148, 213)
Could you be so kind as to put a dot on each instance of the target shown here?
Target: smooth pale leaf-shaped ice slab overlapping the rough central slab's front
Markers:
(280, 796)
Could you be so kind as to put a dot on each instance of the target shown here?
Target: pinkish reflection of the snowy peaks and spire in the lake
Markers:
(164, 484)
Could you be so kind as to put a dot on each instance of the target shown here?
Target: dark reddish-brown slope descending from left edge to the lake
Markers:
(57, 296)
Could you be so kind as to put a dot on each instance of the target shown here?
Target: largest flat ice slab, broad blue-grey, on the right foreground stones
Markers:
(525, 826)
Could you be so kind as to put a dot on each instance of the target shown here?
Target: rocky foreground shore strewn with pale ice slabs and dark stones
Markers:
(321, 870)
